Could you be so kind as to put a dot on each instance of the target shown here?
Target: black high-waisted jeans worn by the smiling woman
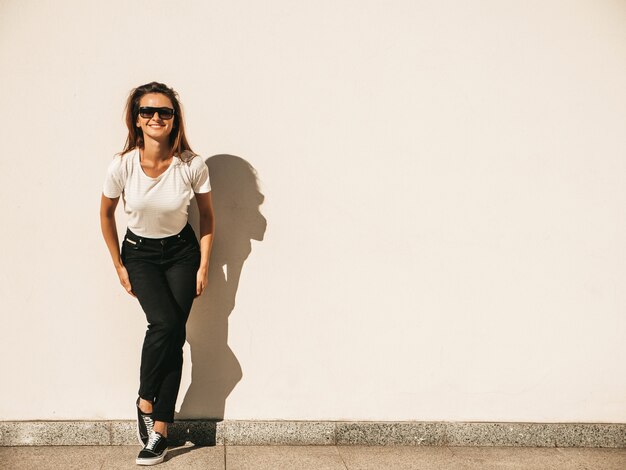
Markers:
(162, 274)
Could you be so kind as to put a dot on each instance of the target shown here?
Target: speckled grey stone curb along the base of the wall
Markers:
(385, 433)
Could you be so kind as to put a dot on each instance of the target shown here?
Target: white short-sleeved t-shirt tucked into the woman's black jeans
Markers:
(156, 207)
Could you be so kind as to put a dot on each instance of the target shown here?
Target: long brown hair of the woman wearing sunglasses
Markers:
(178, 140)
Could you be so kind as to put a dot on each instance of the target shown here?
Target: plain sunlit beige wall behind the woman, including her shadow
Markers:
(441, 234)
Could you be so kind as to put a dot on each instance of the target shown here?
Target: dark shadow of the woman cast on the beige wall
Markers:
(215, 370)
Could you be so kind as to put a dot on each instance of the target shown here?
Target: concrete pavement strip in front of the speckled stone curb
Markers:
(230, 457)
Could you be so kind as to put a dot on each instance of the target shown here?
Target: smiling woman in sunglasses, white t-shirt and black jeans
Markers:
(161, 262)
